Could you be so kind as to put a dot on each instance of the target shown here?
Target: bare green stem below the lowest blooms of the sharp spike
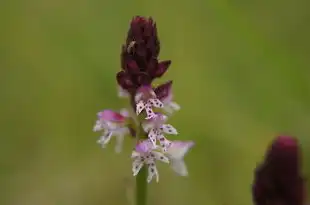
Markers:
(141, 187)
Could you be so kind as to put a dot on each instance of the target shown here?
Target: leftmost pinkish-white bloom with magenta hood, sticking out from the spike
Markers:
(112, 124)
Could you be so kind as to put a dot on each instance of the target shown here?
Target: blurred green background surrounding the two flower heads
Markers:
(240, 71)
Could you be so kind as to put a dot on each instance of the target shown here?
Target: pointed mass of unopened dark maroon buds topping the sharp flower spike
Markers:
(139, 55)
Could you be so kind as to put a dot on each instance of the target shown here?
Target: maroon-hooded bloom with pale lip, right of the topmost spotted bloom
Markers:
(165, 95)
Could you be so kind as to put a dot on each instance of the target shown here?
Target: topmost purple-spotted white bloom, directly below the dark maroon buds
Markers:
(145, 100)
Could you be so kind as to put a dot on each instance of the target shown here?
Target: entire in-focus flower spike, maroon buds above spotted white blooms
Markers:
(150, 106)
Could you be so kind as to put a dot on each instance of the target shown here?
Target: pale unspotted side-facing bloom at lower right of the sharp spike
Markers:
(176, 153)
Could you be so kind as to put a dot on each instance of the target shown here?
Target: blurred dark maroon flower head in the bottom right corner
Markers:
(278, 180)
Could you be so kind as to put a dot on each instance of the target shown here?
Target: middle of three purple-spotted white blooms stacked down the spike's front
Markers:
(156, 128)
